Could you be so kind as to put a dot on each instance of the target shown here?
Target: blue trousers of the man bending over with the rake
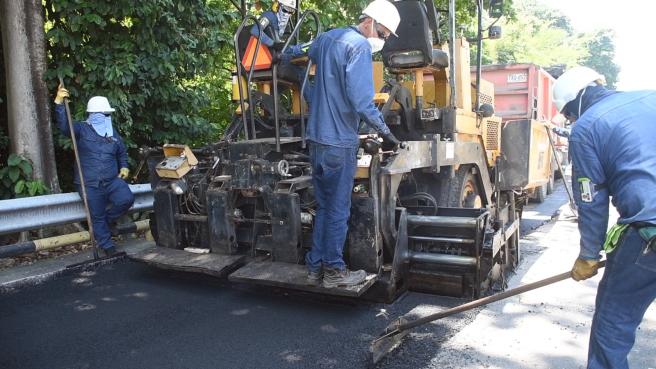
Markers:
(626, 290)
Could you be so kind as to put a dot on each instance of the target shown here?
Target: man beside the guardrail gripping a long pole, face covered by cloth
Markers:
(104, 161)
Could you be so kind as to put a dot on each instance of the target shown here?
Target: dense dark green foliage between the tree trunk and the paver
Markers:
(147, 57)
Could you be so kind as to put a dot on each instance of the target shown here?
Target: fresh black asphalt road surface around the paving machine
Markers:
(129, 315)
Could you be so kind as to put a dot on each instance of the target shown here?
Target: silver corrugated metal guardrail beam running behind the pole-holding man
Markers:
(17, 215)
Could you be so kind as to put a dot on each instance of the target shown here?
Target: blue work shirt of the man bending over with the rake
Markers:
(613, 145)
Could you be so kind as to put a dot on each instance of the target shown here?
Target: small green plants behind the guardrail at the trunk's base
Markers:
(16, 179)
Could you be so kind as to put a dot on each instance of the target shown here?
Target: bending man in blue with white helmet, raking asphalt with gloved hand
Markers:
(613, 147)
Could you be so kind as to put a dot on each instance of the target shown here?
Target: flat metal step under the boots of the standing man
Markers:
(292, 276)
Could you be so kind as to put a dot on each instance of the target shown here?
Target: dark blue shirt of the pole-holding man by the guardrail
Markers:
(100, 157)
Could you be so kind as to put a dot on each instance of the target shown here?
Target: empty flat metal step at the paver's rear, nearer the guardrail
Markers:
(212, 264)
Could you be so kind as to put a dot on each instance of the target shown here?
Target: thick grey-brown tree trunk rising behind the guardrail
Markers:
(28, 101)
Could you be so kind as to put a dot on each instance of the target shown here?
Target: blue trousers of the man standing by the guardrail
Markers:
(108, 201)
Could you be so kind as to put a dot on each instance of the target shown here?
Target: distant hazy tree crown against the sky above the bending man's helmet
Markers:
(601, 54)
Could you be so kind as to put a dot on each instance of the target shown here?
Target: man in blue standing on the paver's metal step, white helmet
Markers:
(341, 95)
